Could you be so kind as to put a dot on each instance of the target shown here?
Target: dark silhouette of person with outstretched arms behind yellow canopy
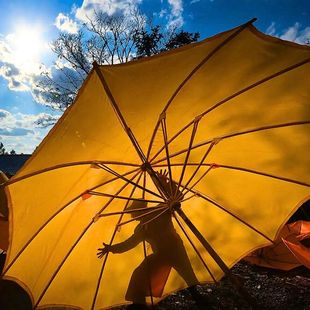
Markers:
(168, 251)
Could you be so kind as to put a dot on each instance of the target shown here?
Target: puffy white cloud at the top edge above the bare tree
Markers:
(110, 7)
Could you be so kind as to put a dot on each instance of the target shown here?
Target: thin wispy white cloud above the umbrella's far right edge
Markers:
(294, 33)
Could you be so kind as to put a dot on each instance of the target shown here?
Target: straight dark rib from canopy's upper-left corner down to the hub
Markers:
(118, 113)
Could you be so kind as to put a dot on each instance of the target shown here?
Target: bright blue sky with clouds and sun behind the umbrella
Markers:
(28, 26)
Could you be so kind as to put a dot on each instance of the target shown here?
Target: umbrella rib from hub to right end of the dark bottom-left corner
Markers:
(77, 241)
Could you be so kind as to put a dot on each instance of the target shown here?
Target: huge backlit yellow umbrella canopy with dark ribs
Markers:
(228, 118)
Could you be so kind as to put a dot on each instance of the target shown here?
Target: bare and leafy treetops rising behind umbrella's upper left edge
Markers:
(107, 40)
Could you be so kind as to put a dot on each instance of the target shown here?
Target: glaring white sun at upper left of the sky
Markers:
(28, 45)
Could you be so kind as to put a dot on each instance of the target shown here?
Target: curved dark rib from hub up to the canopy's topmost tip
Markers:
(196, 68)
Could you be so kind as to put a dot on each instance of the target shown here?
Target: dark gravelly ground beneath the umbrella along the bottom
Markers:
(271, 289)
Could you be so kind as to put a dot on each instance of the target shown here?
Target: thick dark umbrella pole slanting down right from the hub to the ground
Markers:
(234, 280)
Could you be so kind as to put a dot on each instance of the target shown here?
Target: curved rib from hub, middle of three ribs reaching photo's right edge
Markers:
(231, 135)
